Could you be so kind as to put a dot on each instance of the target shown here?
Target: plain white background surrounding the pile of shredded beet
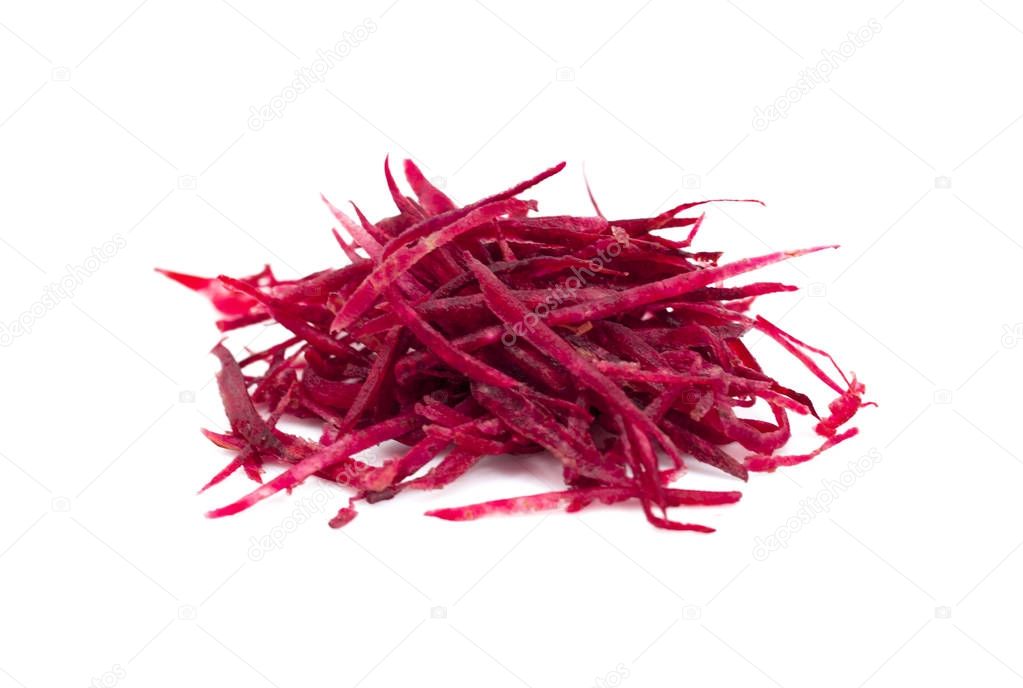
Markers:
(134, 120)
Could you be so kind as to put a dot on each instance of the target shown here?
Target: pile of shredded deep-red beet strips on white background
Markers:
(463, 332)
